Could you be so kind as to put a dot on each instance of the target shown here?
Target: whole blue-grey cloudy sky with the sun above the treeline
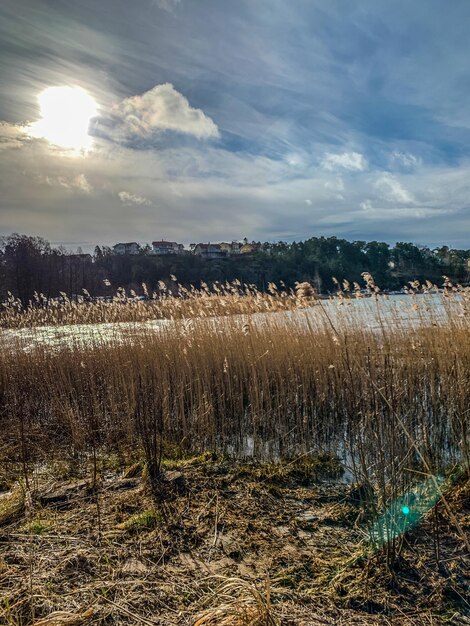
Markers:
(218, 120)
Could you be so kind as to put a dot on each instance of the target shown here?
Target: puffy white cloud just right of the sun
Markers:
(159, 109)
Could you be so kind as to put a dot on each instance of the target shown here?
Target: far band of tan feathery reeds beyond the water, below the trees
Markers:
(172, 301)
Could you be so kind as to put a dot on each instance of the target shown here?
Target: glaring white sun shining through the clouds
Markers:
(65, 117)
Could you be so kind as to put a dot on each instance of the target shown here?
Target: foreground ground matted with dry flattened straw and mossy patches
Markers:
(232, 545)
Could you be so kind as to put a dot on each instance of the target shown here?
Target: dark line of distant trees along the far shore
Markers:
(31, 264)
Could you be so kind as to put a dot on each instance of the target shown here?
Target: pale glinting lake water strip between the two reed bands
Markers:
(368, 313)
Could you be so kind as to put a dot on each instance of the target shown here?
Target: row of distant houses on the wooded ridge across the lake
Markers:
(206, 250)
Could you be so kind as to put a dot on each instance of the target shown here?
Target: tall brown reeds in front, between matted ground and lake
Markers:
(391, 398)
